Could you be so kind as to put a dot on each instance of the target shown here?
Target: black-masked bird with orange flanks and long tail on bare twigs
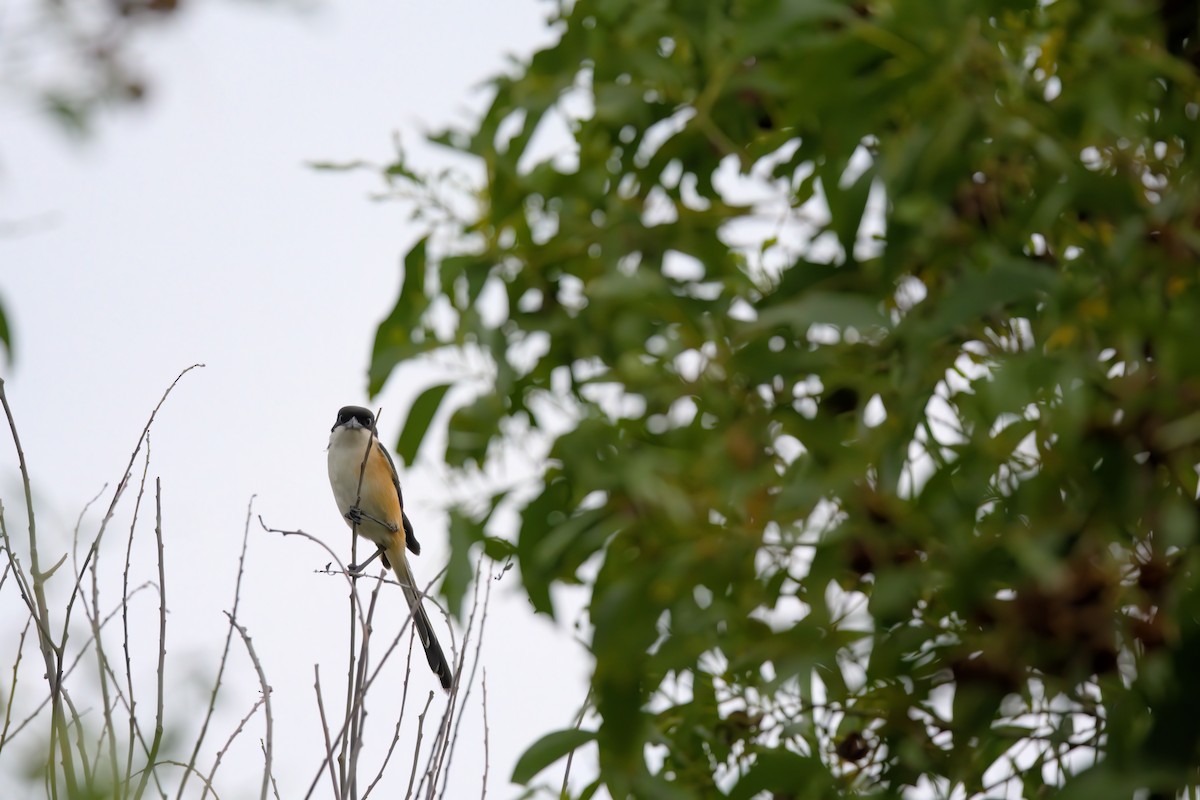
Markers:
(367, 489)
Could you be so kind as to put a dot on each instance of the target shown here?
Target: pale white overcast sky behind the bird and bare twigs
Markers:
(194, 232)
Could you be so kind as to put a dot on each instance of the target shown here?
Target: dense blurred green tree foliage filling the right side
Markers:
(873, 327)
